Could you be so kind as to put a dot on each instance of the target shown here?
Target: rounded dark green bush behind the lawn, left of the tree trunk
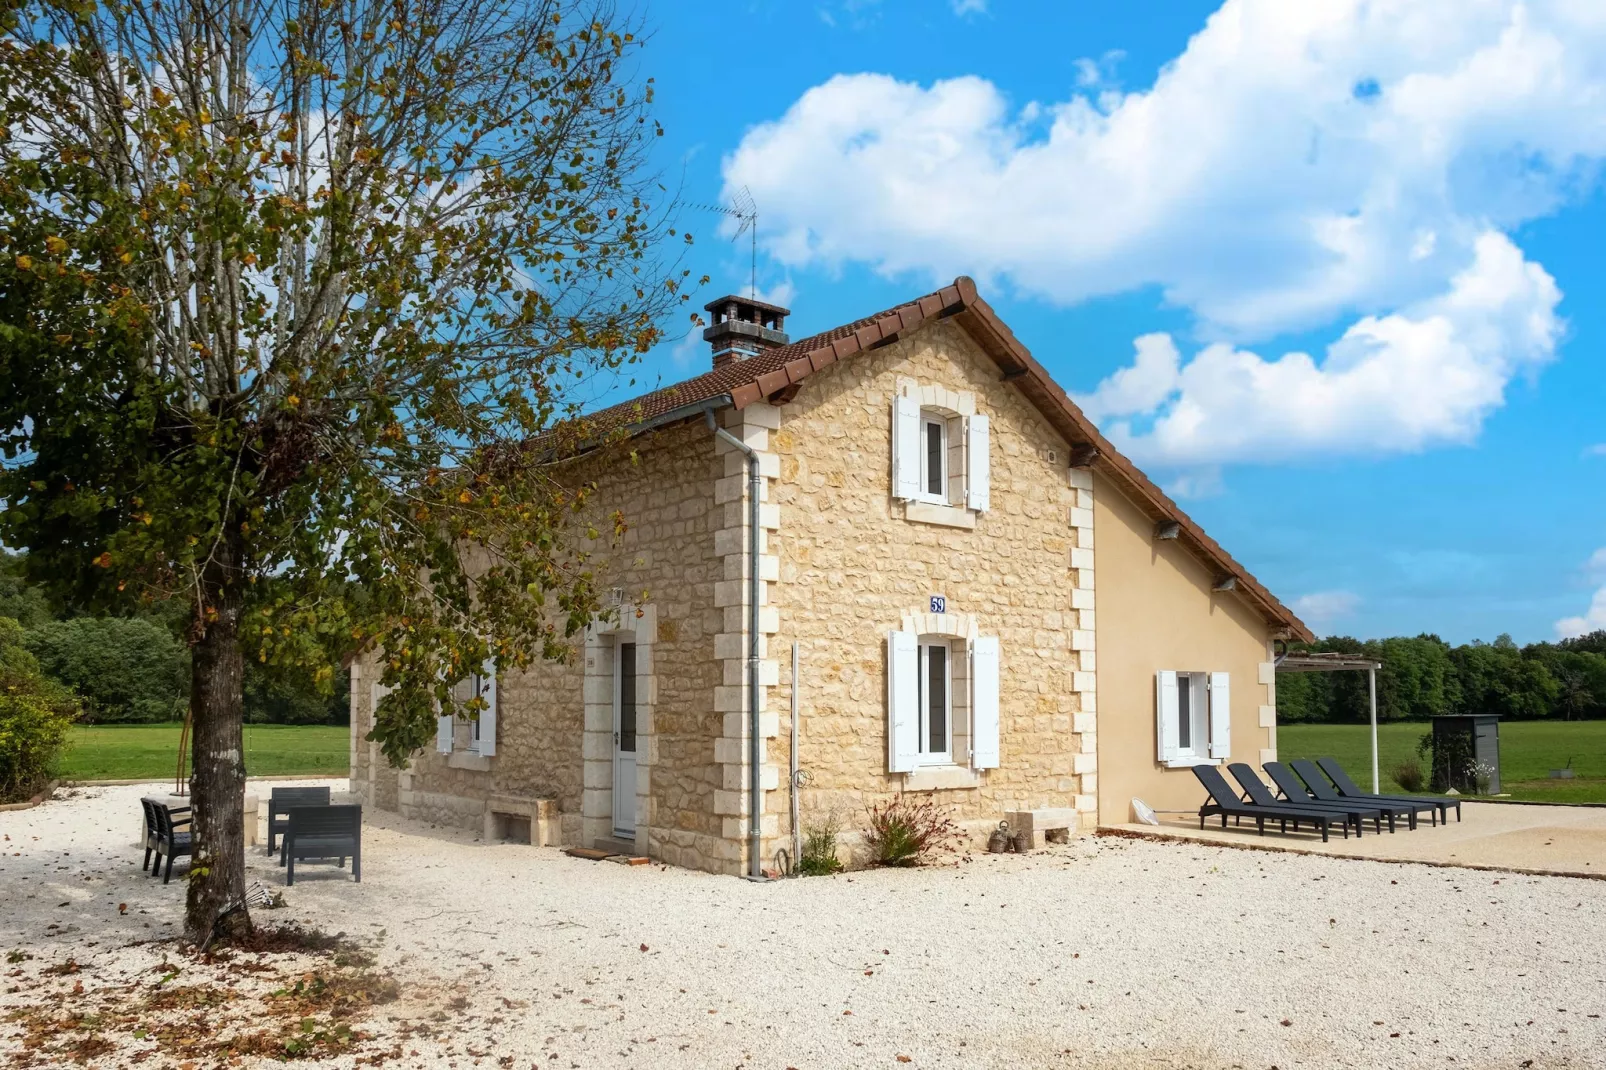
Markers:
(124, 669)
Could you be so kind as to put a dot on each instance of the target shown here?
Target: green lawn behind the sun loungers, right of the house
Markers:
(1528, 753)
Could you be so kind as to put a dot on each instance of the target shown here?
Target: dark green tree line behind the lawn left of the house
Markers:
(136, 671)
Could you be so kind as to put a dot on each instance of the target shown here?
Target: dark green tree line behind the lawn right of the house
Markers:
(1424, 676)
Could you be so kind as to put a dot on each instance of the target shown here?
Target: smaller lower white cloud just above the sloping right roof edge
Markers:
(1425, 375)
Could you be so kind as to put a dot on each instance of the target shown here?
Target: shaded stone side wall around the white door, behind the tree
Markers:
(666, 562)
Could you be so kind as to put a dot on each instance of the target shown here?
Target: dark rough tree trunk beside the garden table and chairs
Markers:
(218, 875)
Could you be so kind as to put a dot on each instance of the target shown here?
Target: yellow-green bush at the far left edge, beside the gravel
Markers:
(35, 719)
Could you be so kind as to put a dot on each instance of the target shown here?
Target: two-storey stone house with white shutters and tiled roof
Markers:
(963, 589)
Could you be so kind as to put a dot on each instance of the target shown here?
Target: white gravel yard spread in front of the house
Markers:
(1104, 954)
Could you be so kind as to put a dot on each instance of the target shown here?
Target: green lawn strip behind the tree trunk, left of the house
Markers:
(123, 753)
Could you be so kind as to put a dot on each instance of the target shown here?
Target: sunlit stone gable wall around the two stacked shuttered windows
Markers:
(852, 568)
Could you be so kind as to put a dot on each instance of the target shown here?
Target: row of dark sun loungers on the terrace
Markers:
(1306, 794)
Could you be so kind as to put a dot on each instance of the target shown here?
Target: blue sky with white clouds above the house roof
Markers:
(1170, 203)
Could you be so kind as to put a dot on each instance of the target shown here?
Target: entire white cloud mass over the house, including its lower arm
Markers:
(1298, 166)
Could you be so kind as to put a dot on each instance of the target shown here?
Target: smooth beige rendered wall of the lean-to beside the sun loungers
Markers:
(1157, 611)
